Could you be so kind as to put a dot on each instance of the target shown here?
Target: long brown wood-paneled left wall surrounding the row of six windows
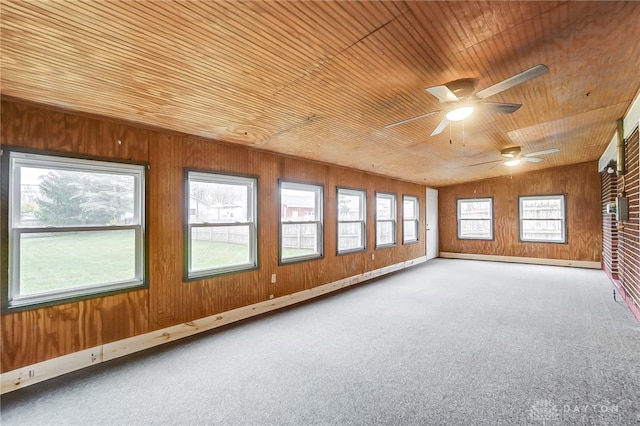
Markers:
(39, 334)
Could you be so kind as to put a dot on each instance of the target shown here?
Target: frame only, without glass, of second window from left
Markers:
(248, 181)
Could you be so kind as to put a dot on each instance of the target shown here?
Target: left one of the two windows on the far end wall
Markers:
(475, 219)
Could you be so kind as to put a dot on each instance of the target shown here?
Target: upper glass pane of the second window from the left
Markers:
(212, 202)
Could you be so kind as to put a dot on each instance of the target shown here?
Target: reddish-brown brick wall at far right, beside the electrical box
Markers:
(629, 235)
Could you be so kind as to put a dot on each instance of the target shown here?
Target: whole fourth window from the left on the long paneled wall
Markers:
(351, 220)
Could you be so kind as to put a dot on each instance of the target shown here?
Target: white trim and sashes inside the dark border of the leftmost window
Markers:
(19, 159)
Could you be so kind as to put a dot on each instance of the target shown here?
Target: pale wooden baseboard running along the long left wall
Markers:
(36, 373)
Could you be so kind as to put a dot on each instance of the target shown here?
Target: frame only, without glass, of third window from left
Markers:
(318, 191)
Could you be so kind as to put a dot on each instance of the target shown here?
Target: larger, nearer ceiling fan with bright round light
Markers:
(461, 99)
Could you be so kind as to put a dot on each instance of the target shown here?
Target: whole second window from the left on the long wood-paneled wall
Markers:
(221, 225)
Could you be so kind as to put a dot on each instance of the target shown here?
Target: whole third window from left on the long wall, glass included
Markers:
(300, 221)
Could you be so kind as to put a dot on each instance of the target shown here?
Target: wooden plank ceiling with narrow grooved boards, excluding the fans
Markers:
(320, 80)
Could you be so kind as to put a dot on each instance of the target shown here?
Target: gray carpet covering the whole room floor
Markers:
(448, 342)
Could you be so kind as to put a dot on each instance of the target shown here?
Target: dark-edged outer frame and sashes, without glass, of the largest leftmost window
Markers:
(16, 157)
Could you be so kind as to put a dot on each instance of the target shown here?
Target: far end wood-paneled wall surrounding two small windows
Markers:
(580, 183)
